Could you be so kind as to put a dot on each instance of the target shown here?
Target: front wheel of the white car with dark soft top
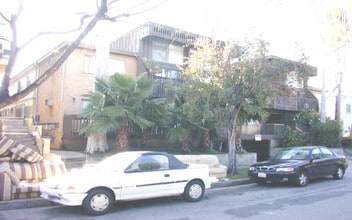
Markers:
(98, 202)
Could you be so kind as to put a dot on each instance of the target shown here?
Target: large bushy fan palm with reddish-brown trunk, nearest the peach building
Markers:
(128, 104)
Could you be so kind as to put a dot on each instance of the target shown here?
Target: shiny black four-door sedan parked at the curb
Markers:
(298, 165)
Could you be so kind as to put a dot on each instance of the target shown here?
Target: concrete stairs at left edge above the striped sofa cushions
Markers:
(16, 129)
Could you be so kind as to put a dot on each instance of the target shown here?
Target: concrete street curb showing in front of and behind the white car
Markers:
(40, 202)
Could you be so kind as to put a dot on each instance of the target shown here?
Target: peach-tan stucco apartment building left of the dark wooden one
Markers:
(57, 102)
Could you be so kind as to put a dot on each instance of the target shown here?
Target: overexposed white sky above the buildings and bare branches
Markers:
(292, 27)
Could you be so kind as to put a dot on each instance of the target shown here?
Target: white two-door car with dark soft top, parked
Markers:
(128, 176)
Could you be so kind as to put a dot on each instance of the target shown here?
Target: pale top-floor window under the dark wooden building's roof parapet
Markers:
(163, 52)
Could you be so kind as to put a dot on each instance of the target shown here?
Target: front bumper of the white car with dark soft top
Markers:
(63, 197)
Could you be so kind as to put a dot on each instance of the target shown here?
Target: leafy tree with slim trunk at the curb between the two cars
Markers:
(245, 79)
